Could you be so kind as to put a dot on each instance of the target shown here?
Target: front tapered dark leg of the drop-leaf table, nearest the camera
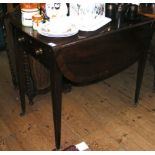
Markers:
(56, 87)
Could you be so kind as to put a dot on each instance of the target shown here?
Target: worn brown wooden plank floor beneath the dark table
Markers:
(102, 115)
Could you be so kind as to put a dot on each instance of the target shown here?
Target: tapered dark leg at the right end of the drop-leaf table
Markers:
(140, 72)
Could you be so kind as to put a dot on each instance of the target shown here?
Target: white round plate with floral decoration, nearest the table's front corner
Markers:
(57, 29)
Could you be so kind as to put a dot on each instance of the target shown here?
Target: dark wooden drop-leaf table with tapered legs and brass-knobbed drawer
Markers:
(83, 58)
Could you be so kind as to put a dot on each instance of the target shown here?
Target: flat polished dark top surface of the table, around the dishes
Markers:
(81, 36)
